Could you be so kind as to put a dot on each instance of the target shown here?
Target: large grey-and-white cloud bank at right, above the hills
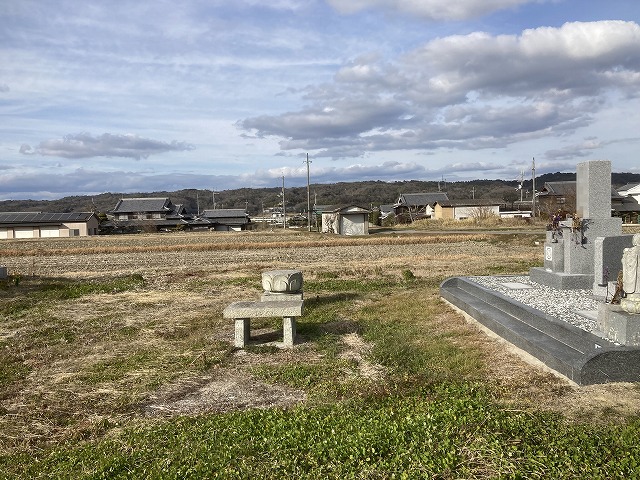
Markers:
(466, 92)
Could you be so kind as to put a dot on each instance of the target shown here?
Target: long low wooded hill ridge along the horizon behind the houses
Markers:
(366, 194)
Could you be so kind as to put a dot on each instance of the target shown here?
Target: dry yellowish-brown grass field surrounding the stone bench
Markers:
(100, 333)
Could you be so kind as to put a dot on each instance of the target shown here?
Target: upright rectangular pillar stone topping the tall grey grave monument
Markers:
(593, 189)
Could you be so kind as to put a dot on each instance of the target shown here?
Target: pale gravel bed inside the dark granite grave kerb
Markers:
(561, 304)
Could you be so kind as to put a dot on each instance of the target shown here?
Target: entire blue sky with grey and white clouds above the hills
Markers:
(140, 95)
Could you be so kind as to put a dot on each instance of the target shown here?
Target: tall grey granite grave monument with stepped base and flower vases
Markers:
(584, 252)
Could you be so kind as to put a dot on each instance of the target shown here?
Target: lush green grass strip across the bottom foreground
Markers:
(446, 431)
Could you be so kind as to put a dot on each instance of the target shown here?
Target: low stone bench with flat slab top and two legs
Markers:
(243, 312)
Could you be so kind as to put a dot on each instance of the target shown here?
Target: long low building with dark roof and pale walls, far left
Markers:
(47, 225)
